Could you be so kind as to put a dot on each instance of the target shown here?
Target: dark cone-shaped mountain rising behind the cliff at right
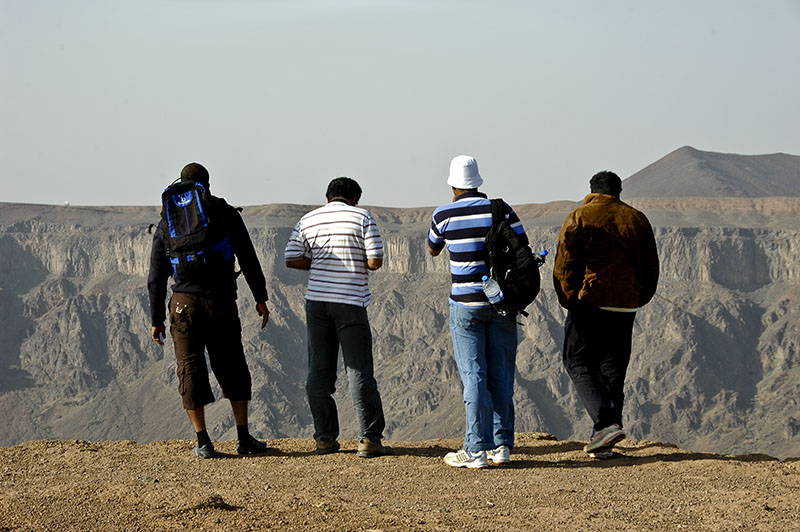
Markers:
(688, 172)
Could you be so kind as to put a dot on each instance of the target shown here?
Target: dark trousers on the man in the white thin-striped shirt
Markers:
(331, 325)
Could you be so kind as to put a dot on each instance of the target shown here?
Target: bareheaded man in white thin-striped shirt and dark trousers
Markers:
(339, 244)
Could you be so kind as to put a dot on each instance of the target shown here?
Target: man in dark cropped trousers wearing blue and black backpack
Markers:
(195, 243)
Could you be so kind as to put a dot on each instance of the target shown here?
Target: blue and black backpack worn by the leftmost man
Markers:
(192, 234)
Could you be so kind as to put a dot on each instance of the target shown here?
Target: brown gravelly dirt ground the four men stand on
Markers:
(550, 485)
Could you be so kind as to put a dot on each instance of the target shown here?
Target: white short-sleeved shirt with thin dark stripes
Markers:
(338, 238)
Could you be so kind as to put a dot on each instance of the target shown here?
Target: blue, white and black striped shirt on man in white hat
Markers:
(462, 226)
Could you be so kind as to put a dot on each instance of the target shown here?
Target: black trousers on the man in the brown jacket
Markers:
(597, 349)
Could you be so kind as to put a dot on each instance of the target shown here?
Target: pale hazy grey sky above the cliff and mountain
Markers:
(102, 102)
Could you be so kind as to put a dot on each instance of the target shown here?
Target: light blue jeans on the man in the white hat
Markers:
(485, 345)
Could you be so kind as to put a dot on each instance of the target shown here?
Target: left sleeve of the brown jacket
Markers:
(568, 266)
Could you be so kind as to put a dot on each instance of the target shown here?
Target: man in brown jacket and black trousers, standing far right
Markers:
(606, 267)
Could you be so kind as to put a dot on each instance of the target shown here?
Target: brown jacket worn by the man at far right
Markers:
(606, 256)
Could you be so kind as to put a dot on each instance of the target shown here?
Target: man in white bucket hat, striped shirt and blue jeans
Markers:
(485, 343)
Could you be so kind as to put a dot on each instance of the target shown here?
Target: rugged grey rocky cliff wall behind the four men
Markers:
(716, 364)
